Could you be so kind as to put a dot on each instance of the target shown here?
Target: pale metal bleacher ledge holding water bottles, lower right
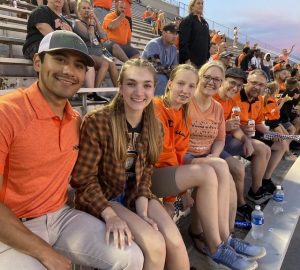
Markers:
(279, 229)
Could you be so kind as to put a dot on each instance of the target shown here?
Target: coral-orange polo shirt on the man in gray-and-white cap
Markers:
(37, 152)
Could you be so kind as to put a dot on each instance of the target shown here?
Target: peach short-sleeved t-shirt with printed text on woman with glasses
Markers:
(206, 127)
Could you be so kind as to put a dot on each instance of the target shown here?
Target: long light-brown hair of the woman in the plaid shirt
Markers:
(118, 118)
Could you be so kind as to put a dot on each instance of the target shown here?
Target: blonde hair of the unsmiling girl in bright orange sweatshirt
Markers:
(166, 96)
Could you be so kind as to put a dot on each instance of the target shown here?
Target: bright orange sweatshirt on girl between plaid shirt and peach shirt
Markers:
(176, 135)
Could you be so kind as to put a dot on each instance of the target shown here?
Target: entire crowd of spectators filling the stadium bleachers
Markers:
(179, 146)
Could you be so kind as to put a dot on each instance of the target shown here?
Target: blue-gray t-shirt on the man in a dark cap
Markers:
(167, 54)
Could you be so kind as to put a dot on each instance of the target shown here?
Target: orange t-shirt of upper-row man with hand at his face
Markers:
(121, 34)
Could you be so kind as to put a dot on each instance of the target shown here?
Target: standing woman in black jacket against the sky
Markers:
(194, 36)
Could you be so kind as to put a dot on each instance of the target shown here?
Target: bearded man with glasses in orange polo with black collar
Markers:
(251, 105)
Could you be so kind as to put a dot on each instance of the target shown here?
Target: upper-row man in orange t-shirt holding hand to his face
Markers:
(118, 32)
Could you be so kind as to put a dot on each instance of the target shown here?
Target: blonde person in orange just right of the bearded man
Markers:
(272, 107)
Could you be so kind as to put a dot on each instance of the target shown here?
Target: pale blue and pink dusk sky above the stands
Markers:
(274, 22)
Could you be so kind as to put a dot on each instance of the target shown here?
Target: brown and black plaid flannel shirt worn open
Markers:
(98, 176)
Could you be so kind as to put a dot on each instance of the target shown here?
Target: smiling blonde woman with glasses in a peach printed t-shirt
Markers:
(207, 138)
